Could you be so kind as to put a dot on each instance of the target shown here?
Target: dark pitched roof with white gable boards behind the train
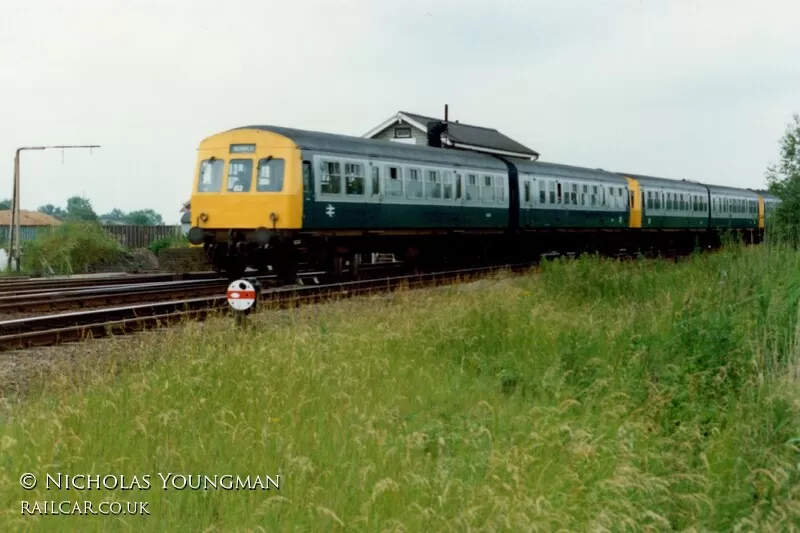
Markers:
(463, 135)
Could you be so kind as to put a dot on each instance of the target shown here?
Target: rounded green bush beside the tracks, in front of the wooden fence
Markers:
(72, 248)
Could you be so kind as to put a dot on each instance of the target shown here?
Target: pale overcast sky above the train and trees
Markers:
(678, 88)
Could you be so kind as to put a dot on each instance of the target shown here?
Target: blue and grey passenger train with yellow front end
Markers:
(273, 198)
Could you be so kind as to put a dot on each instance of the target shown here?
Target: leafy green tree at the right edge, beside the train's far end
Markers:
(784, 177)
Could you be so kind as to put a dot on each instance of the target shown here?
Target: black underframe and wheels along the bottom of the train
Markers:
(284, 253)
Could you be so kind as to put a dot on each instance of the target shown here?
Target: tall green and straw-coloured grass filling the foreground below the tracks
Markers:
(595, 396)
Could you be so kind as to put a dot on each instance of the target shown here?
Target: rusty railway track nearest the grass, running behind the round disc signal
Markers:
(53, 329)
